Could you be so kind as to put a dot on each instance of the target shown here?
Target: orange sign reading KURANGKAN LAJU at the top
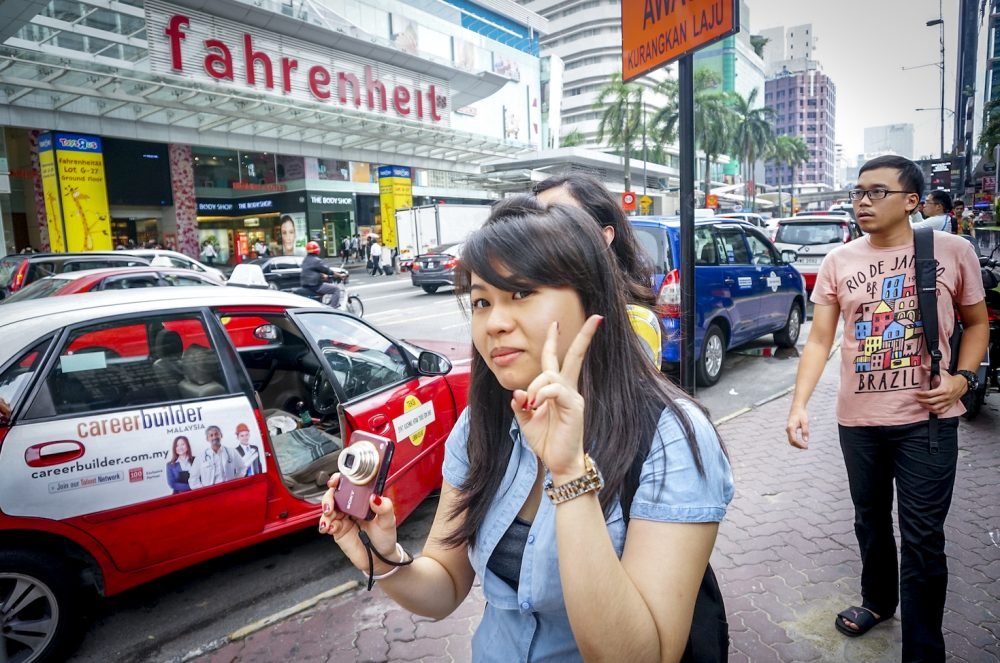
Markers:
(655, 32)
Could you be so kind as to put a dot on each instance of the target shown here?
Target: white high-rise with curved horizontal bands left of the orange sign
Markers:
(587, 36)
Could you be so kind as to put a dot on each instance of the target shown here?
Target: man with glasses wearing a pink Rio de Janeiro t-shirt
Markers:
(886, 398)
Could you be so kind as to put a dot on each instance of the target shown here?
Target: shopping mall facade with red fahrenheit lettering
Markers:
(244, 121)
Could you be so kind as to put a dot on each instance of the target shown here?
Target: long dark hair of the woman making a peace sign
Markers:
(523, 246)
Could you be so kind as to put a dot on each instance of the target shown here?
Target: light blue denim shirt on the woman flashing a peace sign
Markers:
(531, 624)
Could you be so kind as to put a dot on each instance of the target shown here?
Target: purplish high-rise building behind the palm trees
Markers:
(805, 105)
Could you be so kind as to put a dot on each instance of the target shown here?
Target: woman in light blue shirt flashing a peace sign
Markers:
(567, 421)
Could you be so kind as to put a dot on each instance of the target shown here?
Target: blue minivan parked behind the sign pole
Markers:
(743, 288)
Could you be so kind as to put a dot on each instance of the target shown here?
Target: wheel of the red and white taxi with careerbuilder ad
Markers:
(44, 609)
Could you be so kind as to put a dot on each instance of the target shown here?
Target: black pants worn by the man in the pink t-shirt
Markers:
(875, 456)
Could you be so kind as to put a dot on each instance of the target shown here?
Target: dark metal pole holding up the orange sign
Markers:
(685, 130)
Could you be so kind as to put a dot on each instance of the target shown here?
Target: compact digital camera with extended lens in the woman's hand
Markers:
(364, 466)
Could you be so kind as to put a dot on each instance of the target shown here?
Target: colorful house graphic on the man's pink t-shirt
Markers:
(888, 330)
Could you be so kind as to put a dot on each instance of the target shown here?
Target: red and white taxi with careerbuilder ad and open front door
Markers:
(127, 426)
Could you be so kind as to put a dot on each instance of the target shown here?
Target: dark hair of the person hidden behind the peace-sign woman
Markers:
(600, 204)
